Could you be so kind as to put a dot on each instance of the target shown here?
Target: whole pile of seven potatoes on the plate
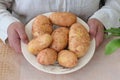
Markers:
(65, 44)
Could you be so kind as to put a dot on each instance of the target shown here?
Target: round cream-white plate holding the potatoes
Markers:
(56, 69)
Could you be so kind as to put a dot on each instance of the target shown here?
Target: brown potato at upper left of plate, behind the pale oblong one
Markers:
(41, 25)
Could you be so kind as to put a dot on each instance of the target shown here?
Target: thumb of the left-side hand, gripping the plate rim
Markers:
(22, 34)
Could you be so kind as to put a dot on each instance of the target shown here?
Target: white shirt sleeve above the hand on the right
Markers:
(109, 14)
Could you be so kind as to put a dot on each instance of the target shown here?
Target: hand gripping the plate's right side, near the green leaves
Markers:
(96, 30)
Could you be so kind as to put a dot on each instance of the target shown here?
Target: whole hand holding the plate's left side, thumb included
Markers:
(16, 33)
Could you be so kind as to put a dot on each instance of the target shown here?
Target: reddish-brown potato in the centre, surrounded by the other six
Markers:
(60, 38)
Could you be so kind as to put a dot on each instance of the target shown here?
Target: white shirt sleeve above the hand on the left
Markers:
(5, 18)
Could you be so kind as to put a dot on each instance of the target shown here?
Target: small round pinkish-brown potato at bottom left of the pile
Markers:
(47, 56)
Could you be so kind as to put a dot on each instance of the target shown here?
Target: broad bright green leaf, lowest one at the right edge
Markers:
(112, 46)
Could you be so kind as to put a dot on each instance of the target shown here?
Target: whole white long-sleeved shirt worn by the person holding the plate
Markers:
(24, 10)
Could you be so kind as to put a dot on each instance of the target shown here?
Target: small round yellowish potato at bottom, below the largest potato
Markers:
(67, 58)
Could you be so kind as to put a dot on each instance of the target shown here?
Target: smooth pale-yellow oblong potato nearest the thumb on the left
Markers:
(39, 43)
